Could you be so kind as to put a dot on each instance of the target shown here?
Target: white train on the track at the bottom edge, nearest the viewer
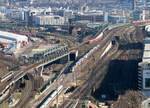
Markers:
(51, 97)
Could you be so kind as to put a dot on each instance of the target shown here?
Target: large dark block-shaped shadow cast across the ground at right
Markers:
(121, 76)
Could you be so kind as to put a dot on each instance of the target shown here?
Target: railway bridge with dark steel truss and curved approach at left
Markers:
(37, 63)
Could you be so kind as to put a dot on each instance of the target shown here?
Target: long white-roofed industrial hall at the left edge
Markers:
(8, 39)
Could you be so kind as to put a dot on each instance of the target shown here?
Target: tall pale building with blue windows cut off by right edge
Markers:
(144, 69)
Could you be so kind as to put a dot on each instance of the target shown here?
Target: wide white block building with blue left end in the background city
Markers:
(49, 20)
